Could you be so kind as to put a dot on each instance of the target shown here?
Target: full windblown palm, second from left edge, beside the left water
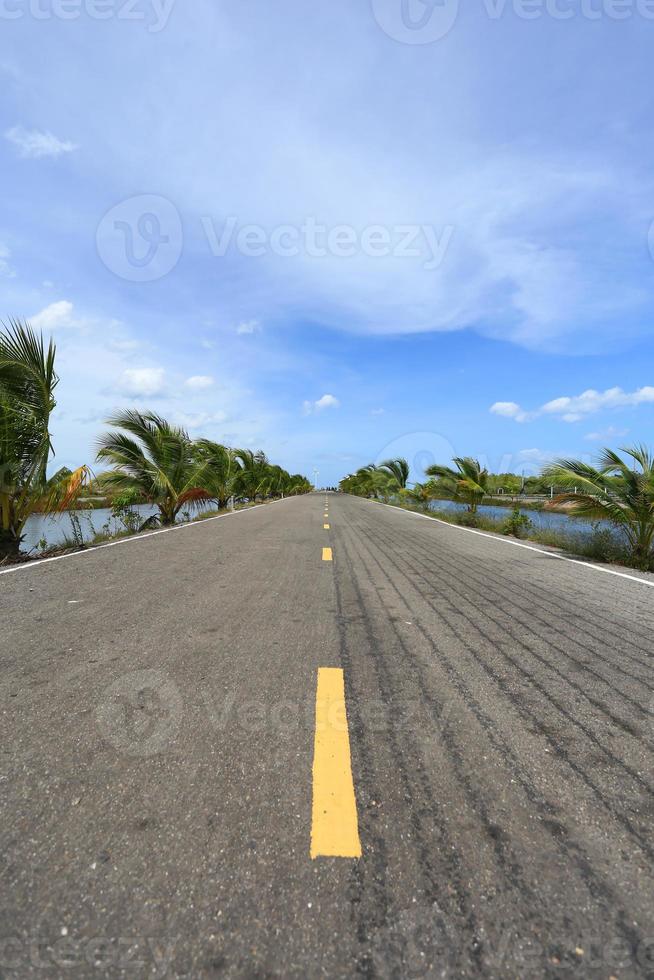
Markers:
(157, 460)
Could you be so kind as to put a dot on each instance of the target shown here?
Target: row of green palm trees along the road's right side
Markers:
(619, 489)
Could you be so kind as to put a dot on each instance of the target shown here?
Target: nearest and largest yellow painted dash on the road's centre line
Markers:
(334, 822)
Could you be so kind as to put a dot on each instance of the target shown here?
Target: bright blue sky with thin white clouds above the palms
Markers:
(337, 231)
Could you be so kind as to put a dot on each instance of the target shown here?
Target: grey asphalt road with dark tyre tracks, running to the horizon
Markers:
(157, 744)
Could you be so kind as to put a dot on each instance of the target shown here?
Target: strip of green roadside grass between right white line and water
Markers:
(600, 545)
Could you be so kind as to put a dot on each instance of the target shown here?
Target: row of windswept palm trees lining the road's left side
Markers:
(151, 459)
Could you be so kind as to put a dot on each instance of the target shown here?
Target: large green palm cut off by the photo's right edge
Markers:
(616, 491)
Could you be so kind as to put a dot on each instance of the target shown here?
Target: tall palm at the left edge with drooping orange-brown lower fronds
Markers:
(27, 383)
